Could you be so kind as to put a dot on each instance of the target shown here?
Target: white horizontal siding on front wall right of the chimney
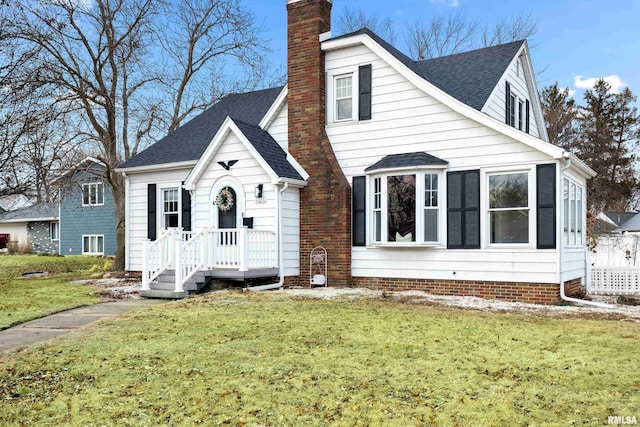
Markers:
(407, 120)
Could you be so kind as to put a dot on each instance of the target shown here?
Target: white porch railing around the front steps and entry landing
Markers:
(186, 253)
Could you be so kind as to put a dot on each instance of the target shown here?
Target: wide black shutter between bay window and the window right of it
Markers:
(463, 210)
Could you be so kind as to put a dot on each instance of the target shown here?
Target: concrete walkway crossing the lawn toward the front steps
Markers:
(62, 323)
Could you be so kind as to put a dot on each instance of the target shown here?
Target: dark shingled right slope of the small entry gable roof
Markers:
(269, 149)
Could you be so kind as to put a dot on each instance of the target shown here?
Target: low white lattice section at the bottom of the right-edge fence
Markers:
(614, 280)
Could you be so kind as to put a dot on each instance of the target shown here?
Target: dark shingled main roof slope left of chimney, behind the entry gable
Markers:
(190, 140)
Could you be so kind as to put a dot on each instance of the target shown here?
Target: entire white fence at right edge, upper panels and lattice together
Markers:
(615, 265)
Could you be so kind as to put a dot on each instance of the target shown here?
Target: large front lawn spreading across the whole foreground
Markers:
(271, 360)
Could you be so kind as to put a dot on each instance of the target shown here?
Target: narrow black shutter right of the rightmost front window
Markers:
(546, 206)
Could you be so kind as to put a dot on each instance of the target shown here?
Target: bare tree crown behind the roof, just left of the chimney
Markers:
(204, 35)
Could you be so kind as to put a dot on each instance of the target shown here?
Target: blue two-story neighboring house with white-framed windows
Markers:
(87, 213)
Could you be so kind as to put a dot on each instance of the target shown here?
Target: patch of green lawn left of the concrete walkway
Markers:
(24, 299)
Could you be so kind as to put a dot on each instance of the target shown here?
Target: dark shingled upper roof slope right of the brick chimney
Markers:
(469, 76)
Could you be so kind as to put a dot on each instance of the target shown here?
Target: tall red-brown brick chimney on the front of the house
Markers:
(325, 204)
